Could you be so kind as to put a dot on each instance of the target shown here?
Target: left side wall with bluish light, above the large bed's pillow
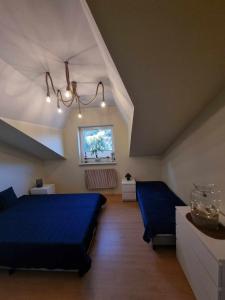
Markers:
(18, 170)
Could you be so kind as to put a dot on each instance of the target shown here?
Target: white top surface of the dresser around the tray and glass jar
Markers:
(215, 246)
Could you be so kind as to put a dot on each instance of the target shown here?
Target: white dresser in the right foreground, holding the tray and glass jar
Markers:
(201, 257)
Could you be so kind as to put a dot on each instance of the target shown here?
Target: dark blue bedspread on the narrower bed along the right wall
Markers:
(157, 204)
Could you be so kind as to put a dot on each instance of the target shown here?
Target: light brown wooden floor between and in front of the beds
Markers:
(124, 267)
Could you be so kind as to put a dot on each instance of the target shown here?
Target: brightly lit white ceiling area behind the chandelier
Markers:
(38, 36)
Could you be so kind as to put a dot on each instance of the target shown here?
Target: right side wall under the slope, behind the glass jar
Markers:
(199, 155)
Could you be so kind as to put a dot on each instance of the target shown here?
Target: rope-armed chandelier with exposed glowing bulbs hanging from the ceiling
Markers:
(71, 94)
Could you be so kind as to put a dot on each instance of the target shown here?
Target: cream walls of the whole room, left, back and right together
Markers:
(198, 156)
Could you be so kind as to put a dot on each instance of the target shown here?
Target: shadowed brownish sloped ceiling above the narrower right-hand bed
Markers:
(171, 58)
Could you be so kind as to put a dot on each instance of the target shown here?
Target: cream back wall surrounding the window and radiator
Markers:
(69, 176)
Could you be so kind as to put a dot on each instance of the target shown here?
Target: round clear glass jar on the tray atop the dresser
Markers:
(205, 205)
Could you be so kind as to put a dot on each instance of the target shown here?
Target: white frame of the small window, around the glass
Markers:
(93, 160)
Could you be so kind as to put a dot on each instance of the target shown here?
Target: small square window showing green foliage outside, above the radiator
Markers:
(96, 144)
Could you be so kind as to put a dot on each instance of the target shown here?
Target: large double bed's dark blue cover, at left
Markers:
(49, 231)
